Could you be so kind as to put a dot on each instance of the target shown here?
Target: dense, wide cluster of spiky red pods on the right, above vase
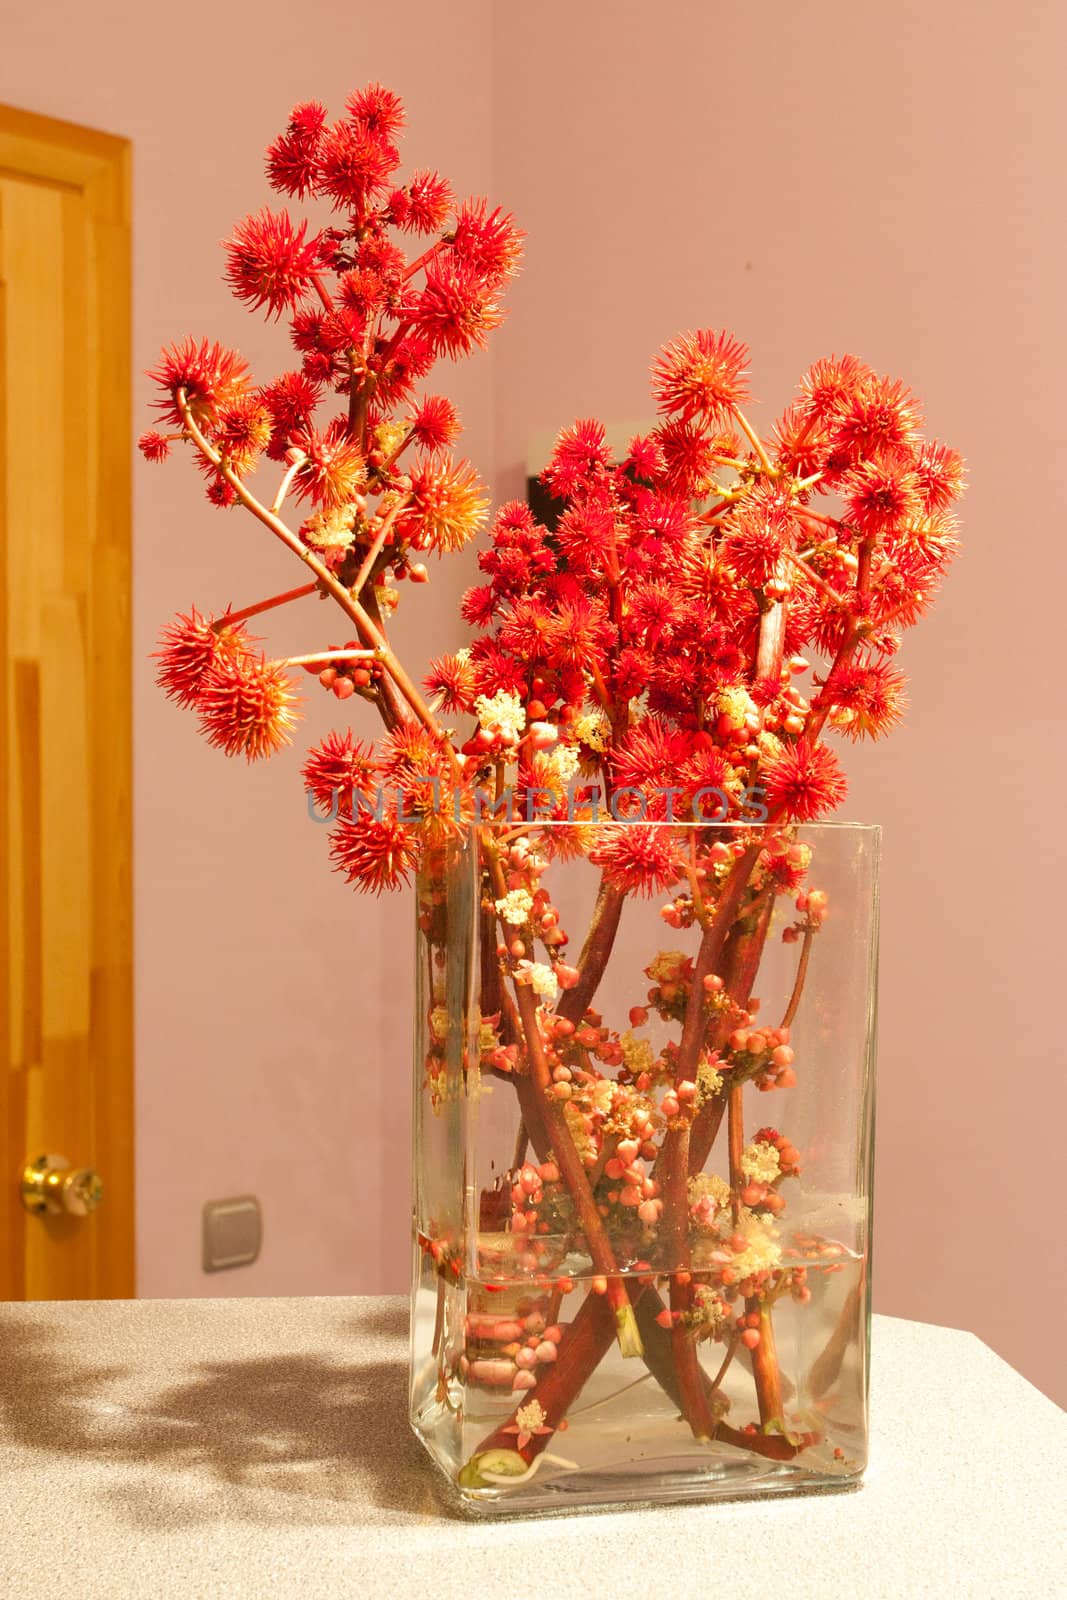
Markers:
(669, 609)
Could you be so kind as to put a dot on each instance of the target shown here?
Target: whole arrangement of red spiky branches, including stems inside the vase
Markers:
(650, 689)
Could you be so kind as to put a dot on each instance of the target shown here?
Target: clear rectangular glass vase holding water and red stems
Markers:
(644, 1161)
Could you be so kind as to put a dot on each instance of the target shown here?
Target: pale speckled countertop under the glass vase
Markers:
(257, 1449)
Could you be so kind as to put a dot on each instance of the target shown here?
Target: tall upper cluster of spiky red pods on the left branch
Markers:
(367, 322)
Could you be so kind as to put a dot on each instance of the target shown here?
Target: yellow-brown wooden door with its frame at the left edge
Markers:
(66, 994)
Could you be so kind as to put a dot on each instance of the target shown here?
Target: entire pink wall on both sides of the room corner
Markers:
(857, 180)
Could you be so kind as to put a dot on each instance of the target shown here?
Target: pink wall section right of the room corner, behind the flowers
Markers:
(877, 180)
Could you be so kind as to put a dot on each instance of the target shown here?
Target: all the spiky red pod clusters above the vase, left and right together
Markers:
(653, 644)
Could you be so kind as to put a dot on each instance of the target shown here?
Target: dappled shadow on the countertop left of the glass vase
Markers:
(270, 1441)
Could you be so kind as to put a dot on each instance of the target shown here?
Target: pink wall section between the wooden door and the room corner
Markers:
(273, 1006)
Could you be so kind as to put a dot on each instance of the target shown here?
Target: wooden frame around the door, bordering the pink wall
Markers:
(95, 170)
